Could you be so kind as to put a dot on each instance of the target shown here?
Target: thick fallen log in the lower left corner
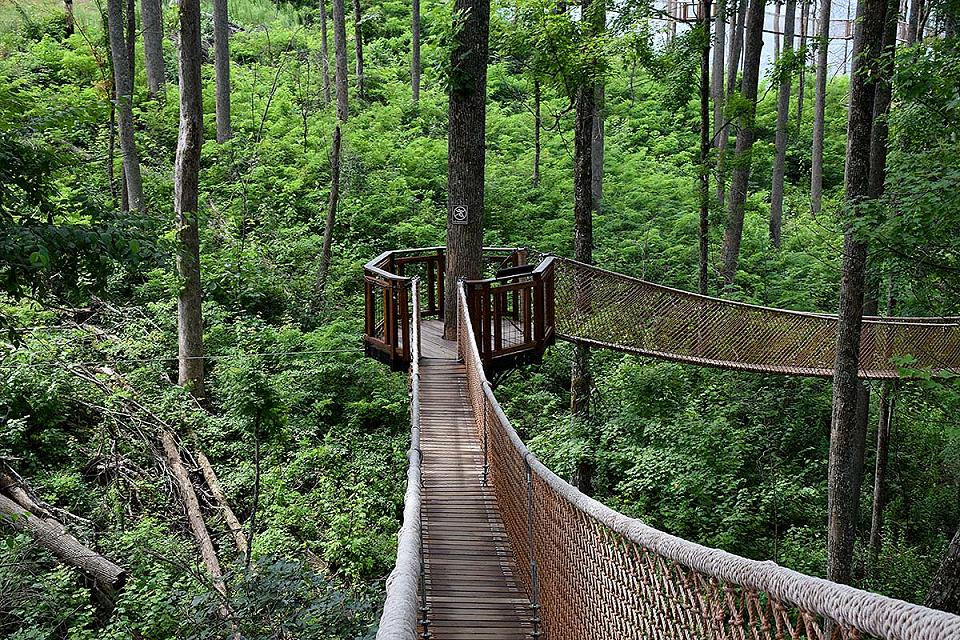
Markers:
(53, 537)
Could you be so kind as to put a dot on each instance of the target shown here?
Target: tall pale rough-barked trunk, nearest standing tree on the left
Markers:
(186, 196)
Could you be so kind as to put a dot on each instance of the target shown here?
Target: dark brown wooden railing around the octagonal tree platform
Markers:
(514, 305)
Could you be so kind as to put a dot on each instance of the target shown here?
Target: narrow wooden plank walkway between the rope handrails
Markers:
(471, 588)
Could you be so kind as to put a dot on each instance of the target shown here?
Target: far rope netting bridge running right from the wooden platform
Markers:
(611, 310)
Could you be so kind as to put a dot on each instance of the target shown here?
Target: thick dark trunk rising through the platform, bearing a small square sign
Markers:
(465, 152)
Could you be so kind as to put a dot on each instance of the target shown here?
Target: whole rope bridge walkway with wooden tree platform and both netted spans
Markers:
(495, 545)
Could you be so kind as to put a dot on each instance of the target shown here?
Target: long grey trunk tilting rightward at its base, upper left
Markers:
(123, 82)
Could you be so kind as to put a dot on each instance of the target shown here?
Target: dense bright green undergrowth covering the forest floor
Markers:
(726, 459)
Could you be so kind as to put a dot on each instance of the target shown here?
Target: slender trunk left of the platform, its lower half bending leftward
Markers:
(343, 112)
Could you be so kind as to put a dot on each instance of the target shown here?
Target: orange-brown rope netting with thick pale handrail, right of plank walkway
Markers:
(593, 572)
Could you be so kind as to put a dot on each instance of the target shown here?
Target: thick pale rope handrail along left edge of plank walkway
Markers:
(399, 619)
